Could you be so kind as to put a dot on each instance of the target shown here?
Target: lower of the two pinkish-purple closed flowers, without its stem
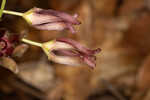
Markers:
(69, 52)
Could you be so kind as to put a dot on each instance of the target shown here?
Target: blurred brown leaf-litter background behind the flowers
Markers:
(121, 28)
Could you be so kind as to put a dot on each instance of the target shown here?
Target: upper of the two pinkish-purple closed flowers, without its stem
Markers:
(51, 19)
